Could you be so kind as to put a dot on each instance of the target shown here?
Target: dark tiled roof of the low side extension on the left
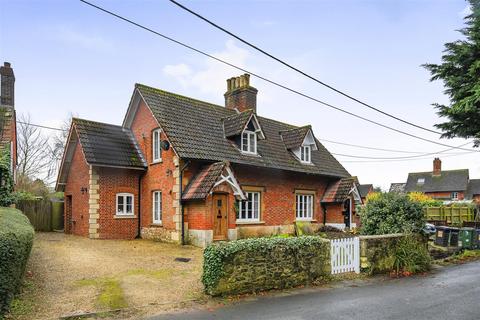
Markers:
(108, 145)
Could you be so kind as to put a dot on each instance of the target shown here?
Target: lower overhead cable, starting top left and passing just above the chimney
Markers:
(266, 79)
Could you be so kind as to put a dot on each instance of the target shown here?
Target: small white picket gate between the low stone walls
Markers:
(345, 255)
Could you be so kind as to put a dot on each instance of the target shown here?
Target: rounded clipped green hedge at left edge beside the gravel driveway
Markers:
(16, 239)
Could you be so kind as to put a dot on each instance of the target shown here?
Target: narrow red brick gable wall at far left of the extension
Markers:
(78, 177)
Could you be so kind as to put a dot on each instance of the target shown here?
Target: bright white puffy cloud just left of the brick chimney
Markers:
(211, 76)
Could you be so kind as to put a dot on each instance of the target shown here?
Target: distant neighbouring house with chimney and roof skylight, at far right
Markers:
(448, 185)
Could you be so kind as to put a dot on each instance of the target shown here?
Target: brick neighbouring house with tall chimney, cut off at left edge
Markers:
(8, 128)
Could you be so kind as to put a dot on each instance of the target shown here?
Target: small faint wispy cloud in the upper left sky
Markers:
(73, 37)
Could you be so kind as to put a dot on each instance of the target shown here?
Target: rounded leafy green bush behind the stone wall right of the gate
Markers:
(391, 213)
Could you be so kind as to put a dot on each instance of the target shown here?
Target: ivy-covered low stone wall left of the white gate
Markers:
(258, 264)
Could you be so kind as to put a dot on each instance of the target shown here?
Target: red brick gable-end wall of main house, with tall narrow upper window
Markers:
(159, 176)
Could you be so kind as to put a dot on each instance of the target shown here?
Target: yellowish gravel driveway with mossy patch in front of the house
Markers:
(68, 275)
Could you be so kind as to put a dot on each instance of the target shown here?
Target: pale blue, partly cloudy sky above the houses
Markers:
(69, 59)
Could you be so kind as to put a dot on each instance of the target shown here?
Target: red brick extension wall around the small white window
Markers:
(112, 181)
